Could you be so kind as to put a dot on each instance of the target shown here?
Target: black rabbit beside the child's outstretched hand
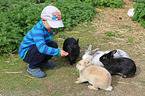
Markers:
(71, 46)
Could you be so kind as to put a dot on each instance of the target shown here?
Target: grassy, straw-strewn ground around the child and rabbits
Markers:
(106, 32)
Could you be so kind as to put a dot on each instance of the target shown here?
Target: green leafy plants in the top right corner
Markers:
(139, 9)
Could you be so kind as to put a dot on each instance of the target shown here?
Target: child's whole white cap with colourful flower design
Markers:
(53, 16)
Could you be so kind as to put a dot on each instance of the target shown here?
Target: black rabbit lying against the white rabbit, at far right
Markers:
(122, 66)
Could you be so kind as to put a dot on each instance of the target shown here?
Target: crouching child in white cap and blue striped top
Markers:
(38, 47)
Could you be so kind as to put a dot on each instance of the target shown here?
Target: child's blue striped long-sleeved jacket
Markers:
(38, 35)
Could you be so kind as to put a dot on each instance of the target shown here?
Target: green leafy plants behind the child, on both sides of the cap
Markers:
(18, 19)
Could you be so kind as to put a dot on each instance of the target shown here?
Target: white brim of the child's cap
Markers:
(55, 23)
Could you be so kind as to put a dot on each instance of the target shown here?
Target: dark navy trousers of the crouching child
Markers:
(35, 58)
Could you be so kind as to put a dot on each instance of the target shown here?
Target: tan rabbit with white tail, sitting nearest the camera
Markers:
(98, 76)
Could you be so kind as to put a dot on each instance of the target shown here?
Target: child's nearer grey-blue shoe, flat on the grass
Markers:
(37, 72)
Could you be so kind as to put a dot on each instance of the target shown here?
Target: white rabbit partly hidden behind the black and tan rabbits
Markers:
(98, 54)
